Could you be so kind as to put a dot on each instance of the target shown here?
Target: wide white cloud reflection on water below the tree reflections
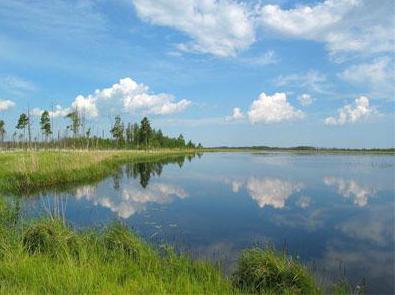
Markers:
(131, 199)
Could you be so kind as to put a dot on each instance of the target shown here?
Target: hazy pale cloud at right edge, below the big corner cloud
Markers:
(378, 75)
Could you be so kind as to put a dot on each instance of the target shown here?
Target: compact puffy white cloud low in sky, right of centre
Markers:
(273, 109)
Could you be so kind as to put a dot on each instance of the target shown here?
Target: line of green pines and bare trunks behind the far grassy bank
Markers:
(123, 135)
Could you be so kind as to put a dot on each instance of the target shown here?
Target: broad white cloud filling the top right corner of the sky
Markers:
(343, 25)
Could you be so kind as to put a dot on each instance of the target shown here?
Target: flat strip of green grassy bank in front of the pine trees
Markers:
(32, 171)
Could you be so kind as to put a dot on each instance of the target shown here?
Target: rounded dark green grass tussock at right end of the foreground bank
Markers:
(264, 271)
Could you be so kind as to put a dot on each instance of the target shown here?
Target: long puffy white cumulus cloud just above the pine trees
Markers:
(125, 96)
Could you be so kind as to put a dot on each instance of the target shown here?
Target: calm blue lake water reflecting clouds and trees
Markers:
(335, 212)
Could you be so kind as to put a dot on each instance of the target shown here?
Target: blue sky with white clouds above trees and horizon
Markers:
(226, 72)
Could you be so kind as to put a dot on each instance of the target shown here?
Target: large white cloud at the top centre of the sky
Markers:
(221, 28)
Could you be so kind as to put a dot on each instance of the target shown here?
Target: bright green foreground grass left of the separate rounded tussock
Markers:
(48, 257)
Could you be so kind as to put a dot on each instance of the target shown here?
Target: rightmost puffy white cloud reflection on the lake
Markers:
(351, 189)
